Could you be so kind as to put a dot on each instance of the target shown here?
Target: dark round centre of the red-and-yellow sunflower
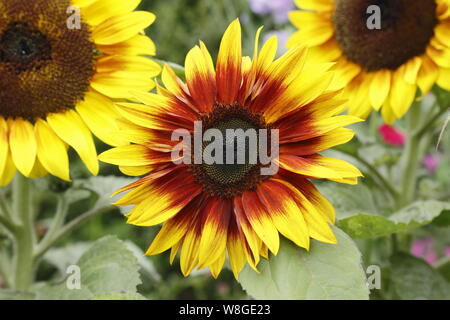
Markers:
(227, 179)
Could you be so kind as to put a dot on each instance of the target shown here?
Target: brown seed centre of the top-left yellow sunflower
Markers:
(45, 66)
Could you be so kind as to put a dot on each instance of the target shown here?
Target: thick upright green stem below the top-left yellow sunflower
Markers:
(23, 262)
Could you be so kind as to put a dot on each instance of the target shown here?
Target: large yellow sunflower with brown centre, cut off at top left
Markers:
(61, 64)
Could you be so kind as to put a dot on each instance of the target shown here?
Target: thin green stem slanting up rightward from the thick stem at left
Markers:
(43, 247)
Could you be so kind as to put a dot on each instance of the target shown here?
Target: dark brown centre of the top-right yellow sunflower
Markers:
(407, 27)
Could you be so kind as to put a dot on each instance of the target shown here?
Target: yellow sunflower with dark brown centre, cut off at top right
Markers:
(381, 68)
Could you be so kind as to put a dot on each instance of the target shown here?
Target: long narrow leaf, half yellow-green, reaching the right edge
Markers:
(367, 226)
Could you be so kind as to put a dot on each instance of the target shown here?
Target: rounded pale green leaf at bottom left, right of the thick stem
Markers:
(107, 267)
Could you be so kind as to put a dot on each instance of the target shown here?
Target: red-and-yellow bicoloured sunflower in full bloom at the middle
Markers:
(211, 209)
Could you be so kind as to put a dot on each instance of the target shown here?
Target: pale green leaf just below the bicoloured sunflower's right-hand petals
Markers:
(349, 200)
